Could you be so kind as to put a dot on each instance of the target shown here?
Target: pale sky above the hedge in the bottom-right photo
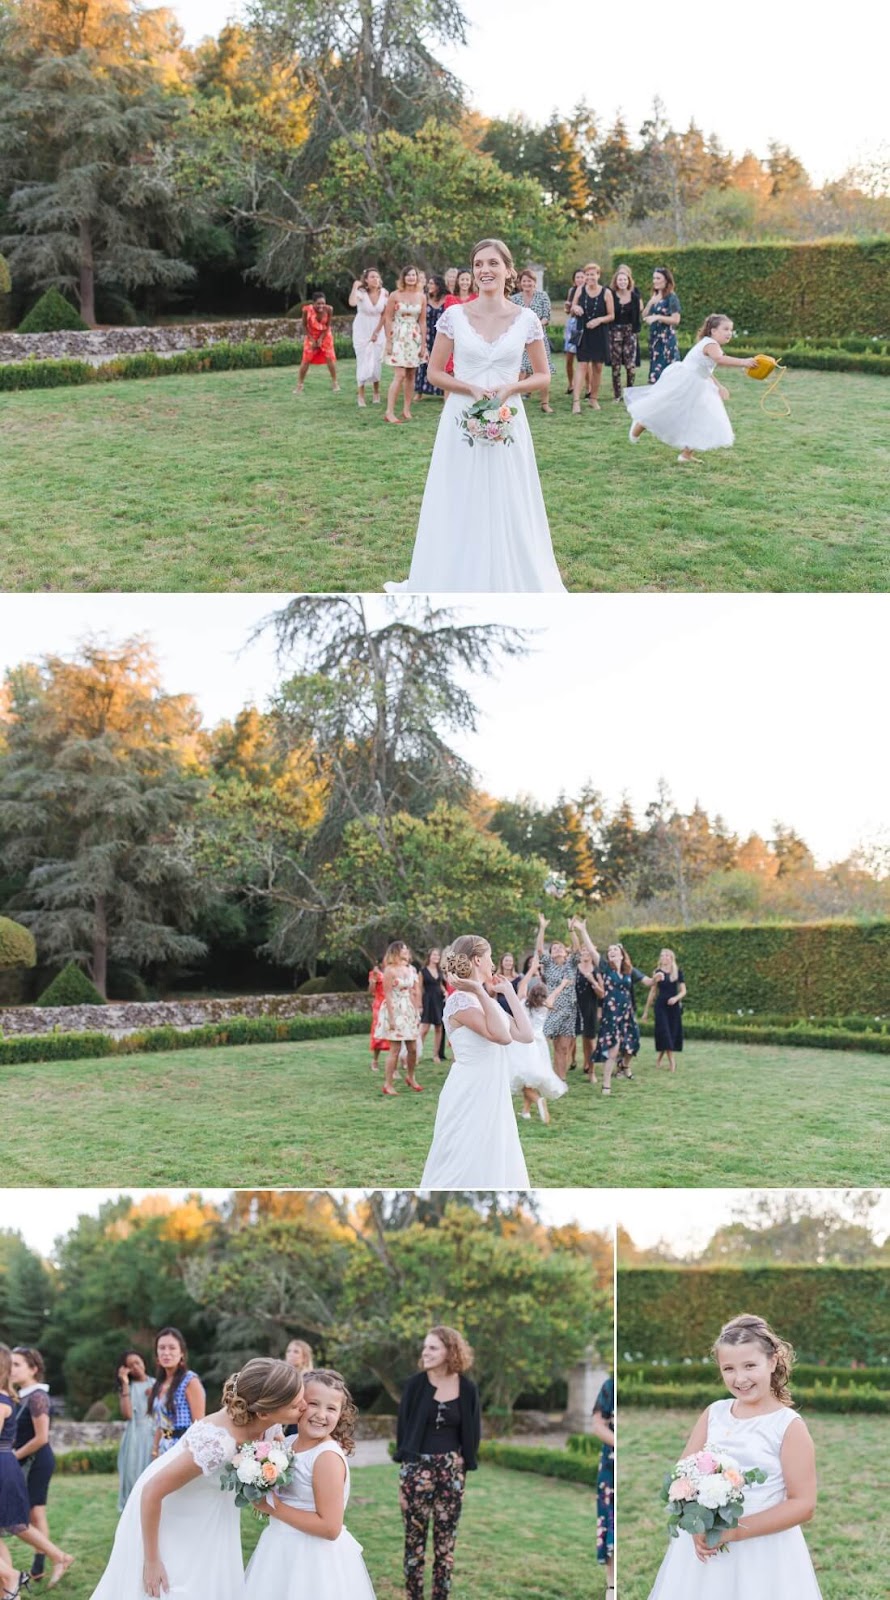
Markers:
(688, 1218)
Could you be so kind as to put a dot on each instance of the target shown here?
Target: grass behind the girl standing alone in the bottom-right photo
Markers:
(849, 1542)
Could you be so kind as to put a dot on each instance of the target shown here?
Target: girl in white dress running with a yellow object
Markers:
(686, 407)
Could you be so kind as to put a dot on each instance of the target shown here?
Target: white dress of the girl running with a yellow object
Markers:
(684, 407)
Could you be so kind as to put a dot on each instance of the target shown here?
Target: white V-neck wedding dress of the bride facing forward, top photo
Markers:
(484, 526)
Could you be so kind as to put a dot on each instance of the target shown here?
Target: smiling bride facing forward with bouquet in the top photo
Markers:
(484, 526)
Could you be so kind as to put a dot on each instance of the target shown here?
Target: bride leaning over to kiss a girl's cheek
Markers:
(178, 1534)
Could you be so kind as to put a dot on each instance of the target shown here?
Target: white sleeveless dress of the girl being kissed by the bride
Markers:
(295, 1566)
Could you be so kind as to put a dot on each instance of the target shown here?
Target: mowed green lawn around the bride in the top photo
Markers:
(228, 481)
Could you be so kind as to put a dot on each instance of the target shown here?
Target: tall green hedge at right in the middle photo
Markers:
(819, 969)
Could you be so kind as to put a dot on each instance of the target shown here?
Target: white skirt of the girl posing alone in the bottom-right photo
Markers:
(776, 1567)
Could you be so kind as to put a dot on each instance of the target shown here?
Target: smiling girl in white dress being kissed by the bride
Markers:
(307, 1553)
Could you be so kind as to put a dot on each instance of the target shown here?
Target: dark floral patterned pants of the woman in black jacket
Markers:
(431, 1487)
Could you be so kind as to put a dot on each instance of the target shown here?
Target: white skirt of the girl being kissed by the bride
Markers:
(294, 1566)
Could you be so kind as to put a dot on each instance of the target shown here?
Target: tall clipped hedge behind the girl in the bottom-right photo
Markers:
(830, 1314)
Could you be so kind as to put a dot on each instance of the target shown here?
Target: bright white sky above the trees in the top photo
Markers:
(771, 71)
